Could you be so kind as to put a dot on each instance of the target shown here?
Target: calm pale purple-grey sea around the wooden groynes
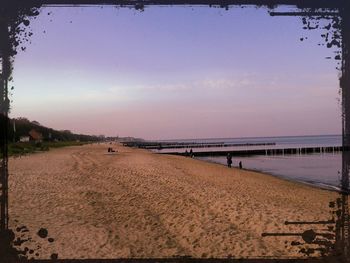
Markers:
(322, 170)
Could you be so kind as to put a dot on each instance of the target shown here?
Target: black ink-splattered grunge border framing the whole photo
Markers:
(14, 13)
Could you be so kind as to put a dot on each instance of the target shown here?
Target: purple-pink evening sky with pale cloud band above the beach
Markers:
(176, 72)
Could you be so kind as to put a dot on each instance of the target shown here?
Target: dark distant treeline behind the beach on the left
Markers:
(20, 127)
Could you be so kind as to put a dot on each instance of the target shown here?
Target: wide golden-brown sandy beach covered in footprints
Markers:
(139, 204)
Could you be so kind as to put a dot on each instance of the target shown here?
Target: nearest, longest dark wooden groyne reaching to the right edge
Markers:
(277, 151)
